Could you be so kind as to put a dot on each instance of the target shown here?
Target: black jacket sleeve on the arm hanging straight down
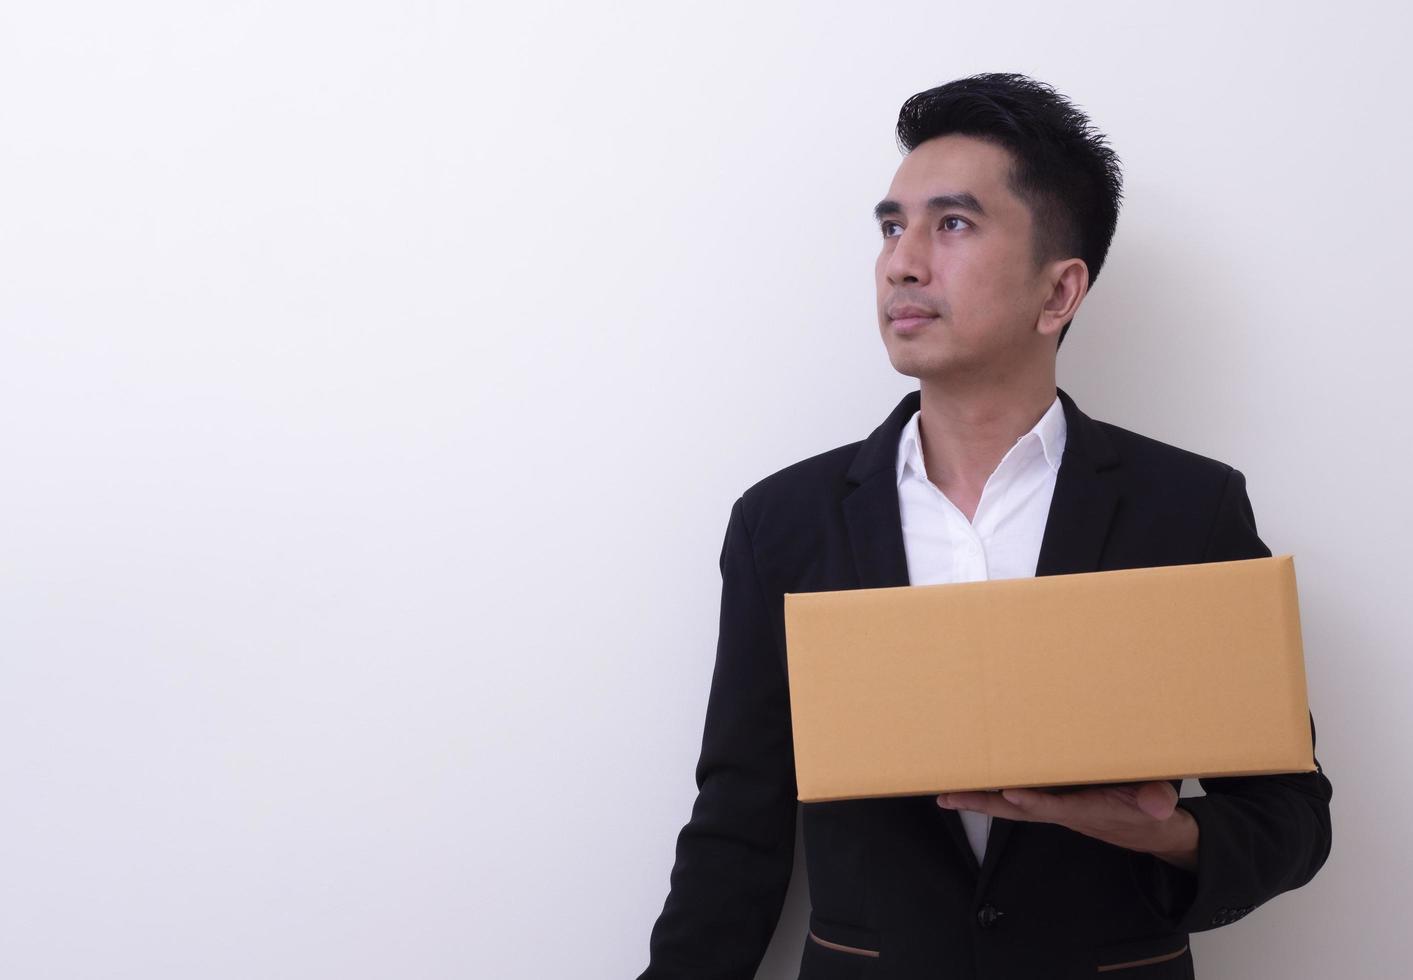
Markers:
(737, 852)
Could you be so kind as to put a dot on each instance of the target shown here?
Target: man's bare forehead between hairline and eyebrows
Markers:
(952, 165)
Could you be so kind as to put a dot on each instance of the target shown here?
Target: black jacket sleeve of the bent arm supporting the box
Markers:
(1258, 837)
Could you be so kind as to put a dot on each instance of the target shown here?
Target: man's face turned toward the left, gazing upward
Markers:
(967, 263)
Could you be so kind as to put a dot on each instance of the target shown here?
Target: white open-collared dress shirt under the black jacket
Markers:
(1003, 542)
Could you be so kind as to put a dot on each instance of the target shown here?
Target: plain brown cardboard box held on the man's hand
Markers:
(1059, 680)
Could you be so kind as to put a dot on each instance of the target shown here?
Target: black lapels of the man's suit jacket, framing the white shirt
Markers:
(1076, 529)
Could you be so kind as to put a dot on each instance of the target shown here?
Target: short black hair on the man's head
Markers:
(1063, 169)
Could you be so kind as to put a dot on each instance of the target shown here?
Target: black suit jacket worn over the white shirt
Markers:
(895, 889)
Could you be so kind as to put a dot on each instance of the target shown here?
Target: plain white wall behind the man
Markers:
(377, 381)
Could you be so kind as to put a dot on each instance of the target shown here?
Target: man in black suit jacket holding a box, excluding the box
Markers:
(994, 228)
